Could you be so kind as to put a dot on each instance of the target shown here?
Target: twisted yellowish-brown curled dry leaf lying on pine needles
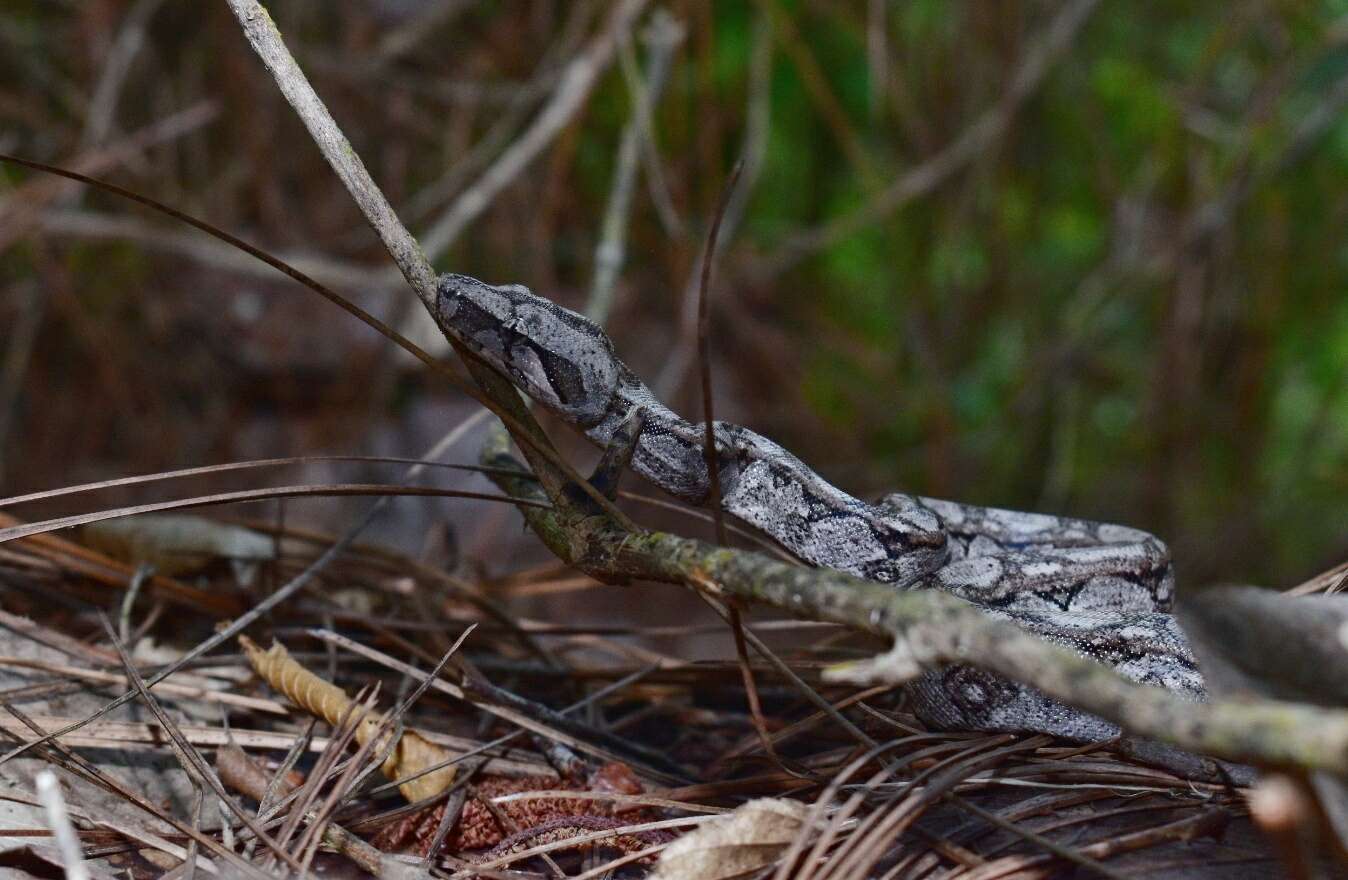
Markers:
(330, 703)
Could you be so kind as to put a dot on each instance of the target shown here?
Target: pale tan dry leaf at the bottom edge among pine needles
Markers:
(742, 843)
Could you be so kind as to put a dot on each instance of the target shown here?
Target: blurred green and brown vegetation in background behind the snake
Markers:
(1124, 301)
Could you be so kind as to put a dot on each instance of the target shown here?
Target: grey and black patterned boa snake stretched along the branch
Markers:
(1101, 590)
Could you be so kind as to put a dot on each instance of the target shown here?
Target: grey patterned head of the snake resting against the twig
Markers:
(560, 359)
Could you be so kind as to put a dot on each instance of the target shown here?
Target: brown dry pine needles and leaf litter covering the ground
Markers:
(394, 719)
